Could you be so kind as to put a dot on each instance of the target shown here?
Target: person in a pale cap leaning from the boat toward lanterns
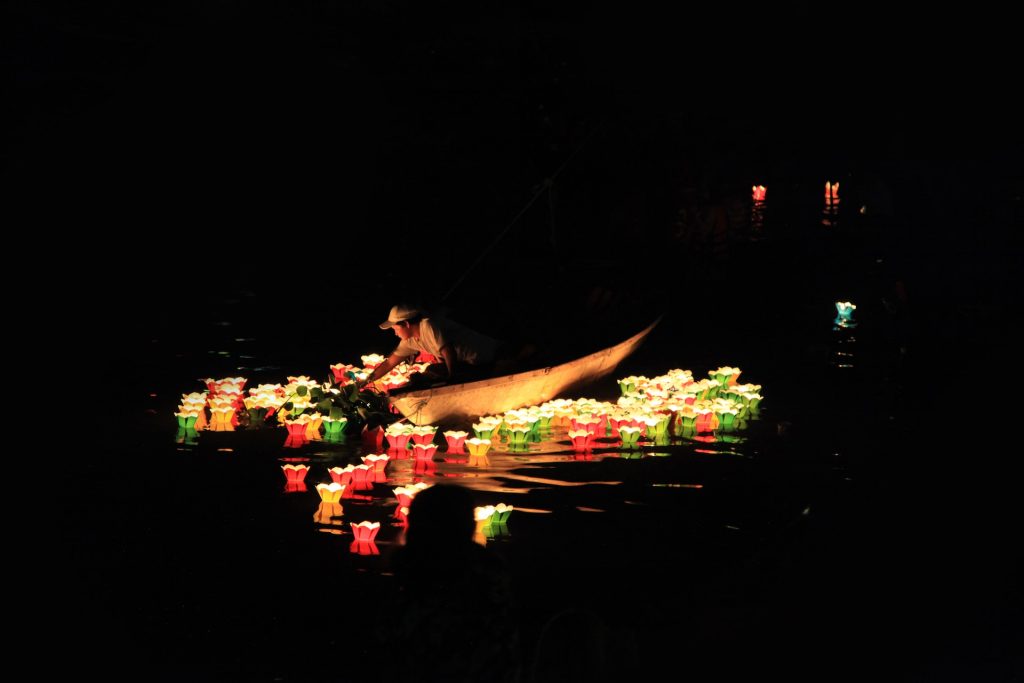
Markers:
(464, 355)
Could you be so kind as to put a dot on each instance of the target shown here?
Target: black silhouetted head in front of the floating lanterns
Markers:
(442, 516)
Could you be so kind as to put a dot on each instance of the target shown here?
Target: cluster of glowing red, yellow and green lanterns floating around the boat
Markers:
(652, 410)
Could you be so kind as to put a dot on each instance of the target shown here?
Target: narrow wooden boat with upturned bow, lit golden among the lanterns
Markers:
(462, 403)
